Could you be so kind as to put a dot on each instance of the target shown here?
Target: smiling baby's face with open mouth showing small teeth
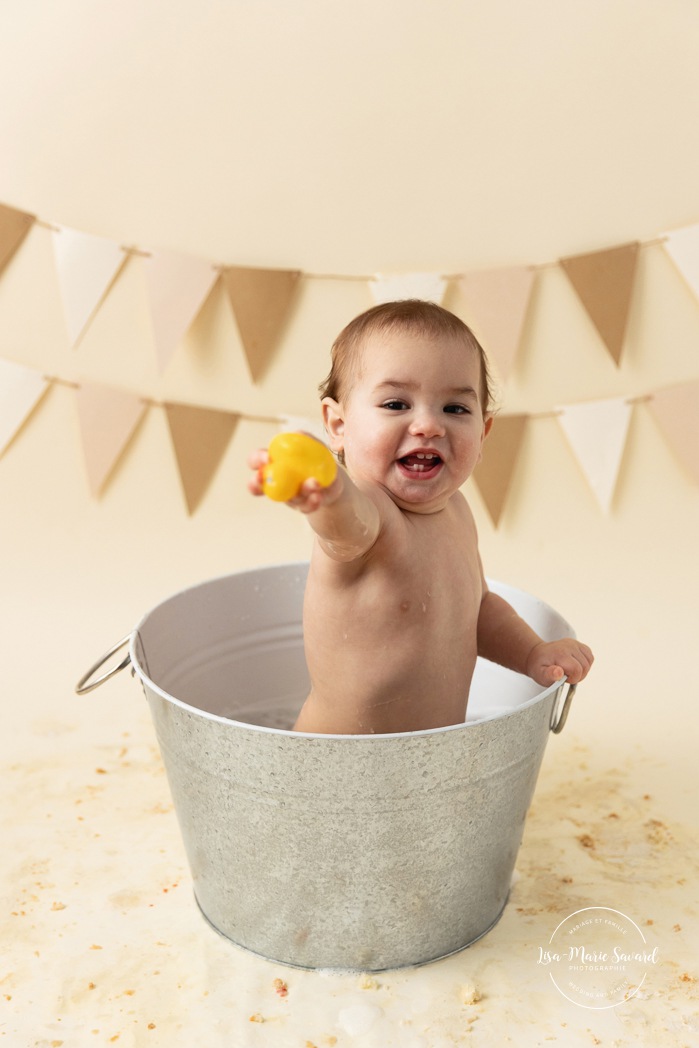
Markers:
(412, 422)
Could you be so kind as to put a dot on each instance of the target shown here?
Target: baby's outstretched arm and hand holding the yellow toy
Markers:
(346, 521)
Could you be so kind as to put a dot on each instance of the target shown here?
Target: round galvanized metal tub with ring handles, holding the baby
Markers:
(354, 853)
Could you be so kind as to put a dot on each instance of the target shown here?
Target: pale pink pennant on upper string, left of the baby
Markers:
(179, 286)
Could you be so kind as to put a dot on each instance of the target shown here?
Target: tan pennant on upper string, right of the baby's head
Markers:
(604, 282)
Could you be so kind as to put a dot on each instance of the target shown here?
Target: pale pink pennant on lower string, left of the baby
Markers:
(108, 419)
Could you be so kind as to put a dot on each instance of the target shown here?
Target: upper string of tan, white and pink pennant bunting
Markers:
(497, 300)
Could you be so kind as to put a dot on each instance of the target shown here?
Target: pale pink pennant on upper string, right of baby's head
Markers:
(497, 302)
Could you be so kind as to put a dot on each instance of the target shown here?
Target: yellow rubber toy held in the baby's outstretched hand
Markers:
(294, 458)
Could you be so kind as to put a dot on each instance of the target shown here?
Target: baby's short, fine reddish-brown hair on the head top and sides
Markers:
(411, 315)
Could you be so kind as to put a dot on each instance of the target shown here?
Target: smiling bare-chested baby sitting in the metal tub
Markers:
(397, 606)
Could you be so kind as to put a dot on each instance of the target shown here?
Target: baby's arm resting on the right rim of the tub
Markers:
(506, 639)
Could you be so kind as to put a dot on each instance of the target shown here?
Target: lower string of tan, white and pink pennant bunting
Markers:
(110, 418)
